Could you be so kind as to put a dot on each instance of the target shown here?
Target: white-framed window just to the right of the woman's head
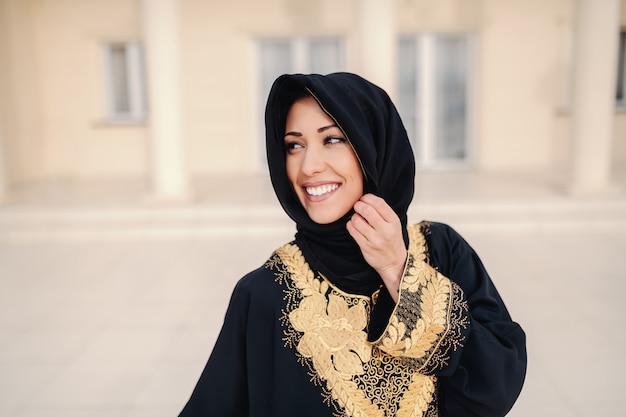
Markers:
(434, 97)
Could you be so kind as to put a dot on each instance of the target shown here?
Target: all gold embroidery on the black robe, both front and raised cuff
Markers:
(327, 328)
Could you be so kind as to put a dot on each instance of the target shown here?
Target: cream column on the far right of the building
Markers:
(595, 68)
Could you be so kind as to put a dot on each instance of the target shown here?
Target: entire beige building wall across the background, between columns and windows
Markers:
(52, 104)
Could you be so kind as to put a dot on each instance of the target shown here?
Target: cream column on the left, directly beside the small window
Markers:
(161, 40)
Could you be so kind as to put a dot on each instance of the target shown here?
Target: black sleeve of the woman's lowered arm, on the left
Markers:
(222, 387)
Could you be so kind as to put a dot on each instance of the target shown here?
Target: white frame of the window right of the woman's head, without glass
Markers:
(425, 94)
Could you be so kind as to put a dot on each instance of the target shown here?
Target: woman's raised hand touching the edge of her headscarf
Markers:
(377, 230)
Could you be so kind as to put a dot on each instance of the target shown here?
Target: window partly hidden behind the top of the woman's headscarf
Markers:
(277, 56)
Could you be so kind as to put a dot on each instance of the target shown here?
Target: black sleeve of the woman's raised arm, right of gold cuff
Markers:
(487, 376)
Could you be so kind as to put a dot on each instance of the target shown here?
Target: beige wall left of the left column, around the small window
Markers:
(56, 127)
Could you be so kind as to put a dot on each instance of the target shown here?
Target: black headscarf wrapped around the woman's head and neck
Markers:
(372, 125)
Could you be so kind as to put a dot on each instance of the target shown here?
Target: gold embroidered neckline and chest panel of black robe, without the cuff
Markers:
(327, 328)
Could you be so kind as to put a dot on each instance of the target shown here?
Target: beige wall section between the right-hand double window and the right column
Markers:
(522, 76)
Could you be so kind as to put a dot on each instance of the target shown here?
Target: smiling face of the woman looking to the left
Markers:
(321, 164)
